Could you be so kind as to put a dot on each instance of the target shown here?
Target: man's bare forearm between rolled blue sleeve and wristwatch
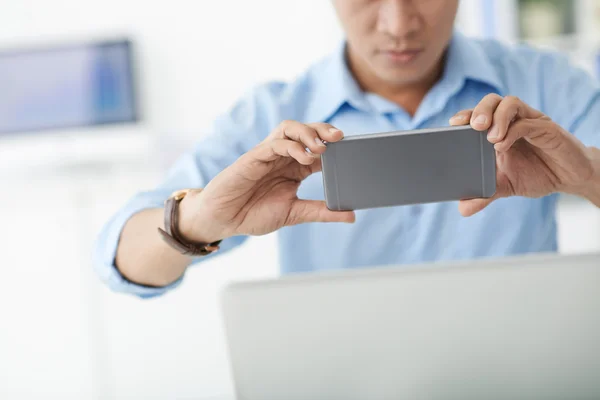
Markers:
(143, 257)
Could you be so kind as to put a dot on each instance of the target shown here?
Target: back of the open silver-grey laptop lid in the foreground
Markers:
(514, 328)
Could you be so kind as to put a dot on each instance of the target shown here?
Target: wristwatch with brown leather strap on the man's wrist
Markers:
(171, 234)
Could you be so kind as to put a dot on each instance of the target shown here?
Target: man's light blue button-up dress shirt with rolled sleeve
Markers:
(327, 92)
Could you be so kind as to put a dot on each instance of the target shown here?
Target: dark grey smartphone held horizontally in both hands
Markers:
(408, 167)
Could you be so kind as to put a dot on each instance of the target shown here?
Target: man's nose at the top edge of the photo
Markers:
(398, 18)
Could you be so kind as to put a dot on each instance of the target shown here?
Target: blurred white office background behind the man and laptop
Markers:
(97, 98)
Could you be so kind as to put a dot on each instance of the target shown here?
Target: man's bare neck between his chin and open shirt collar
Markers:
(407, 96)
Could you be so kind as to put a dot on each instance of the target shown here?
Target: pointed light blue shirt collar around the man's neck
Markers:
(335, 86)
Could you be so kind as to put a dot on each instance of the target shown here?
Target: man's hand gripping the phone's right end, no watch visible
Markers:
(535, 156)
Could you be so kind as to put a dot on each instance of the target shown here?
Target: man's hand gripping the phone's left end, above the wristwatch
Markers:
(257, 194)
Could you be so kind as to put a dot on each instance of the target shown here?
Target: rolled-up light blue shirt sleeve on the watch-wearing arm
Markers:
(233, 134)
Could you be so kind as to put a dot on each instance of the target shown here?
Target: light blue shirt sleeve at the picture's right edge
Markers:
(571, 97)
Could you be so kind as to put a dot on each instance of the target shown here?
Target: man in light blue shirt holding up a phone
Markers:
(401, 67)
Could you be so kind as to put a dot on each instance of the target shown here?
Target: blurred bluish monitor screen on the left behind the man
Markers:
(70, 86)
